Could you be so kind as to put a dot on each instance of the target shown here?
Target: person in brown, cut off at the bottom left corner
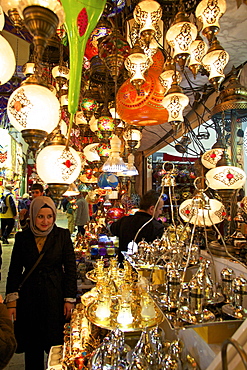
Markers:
(7, 337)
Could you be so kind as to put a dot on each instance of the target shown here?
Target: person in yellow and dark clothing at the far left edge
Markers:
(8, 218)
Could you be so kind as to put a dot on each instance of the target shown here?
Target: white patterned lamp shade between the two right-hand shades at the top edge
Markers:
(180, 36)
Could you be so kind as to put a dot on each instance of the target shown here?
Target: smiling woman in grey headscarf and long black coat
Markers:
(45, 299)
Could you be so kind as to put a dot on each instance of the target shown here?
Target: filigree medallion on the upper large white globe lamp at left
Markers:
(19, 107)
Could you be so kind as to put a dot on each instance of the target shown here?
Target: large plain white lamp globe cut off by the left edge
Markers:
(7, 61)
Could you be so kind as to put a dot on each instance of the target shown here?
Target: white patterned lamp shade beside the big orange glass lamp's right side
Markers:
(175, 104)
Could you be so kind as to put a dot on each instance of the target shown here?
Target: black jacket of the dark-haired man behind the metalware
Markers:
(127, 227)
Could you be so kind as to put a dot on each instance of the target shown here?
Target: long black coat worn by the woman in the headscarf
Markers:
(40, 316)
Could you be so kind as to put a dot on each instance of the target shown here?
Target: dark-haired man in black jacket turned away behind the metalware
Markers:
(127, 227)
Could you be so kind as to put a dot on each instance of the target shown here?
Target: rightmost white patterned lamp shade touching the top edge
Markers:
(209, 13)
